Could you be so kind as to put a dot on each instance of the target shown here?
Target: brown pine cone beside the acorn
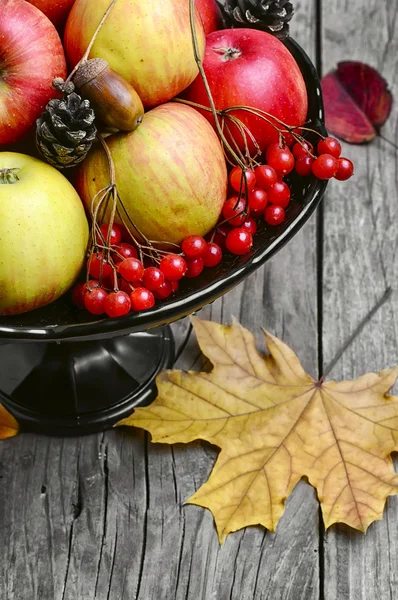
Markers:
(65, 131)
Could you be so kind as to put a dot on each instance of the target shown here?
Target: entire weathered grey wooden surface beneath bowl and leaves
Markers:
(102, 517)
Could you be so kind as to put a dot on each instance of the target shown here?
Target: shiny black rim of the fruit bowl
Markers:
(181, 307)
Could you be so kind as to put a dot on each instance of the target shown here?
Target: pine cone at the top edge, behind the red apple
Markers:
(272, 16)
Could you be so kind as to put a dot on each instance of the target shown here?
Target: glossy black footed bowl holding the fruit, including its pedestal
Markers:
(63, 372)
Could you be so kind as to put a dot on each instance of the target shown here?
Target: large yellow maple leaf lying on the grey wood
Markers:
(274, 425)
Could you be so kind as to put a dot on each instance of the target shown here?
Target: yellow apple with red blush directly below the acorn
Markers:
(170, 174)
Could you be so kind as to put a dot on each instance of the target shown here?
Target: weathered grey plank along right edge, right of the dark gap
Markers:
(360, 261)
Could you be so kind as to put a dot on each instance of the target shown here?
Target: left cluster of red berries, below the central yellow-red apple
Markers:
(125, 284)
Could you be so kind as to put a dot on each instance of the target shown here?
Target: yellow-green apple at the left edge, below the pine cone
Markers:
(43, 233)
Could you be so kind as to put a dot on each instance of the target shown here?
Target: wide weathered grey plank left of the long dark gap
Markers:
(102, 517)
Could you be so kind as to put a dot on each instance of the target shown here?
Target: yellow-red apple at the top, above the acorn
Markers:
(148, 42)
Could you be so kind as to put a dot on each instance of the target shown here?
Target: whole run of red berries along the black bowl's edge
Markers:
(119, 281)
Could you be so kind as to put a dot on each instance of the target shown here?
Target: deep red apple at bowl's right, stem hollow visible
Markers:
(252, 68)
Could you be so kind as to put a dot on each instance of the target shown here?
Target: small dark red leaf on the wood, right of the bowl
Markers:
(357, 101)
